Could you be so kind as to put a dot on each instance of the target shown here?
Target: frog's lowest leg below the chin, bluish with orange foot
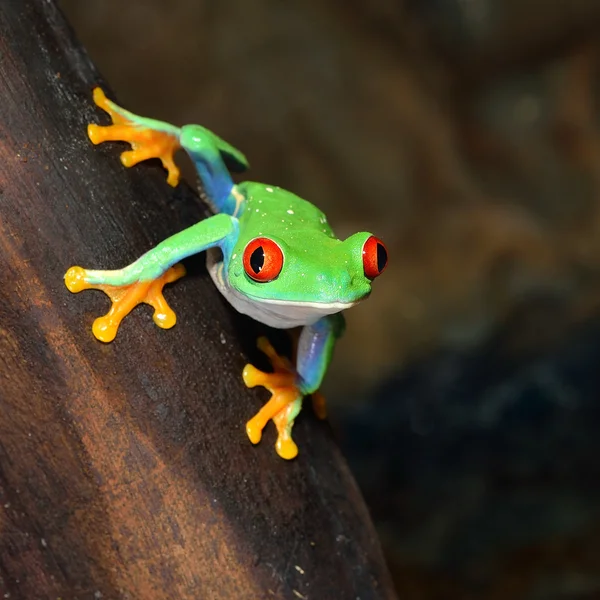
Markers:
(289, 385)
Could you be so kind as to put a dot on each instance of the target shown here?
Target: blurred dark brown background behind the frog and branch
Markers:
(465, 134)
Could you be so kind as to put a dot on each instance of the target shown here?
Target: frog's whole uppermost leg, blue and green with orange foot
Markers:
(150, 138)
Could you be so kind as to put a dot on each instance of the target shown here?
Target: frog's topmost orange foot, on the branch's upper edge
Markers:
(148, 138)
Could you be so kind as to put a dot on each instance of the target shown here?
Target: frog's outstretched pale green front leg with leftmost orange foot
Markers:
(143, 280)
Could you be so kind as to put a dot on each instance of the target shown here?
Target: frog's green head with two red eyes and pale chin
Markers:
(305, 276)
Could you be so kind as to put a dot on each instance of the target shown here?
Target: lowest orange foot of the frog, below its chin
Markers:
(285, 402)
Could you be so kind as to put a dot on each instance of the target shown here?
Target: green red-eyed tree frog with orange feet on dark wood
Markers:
(270, 253)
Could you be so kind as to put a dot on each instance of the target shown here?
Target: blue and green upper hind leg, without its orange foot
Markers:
(211, 155)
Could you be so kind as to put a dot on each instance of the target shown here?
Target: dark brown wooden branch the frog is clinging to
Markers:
(125, 471)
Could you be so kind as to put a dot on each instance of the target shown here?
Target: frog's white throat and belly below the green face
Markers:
(274, 313)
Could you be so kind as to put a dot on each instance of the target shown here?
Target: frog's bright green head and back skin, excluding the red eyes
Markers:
(318, 268)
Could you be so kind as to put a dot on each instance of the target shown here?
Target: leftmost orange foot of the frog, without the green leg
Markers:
(126, 298)
